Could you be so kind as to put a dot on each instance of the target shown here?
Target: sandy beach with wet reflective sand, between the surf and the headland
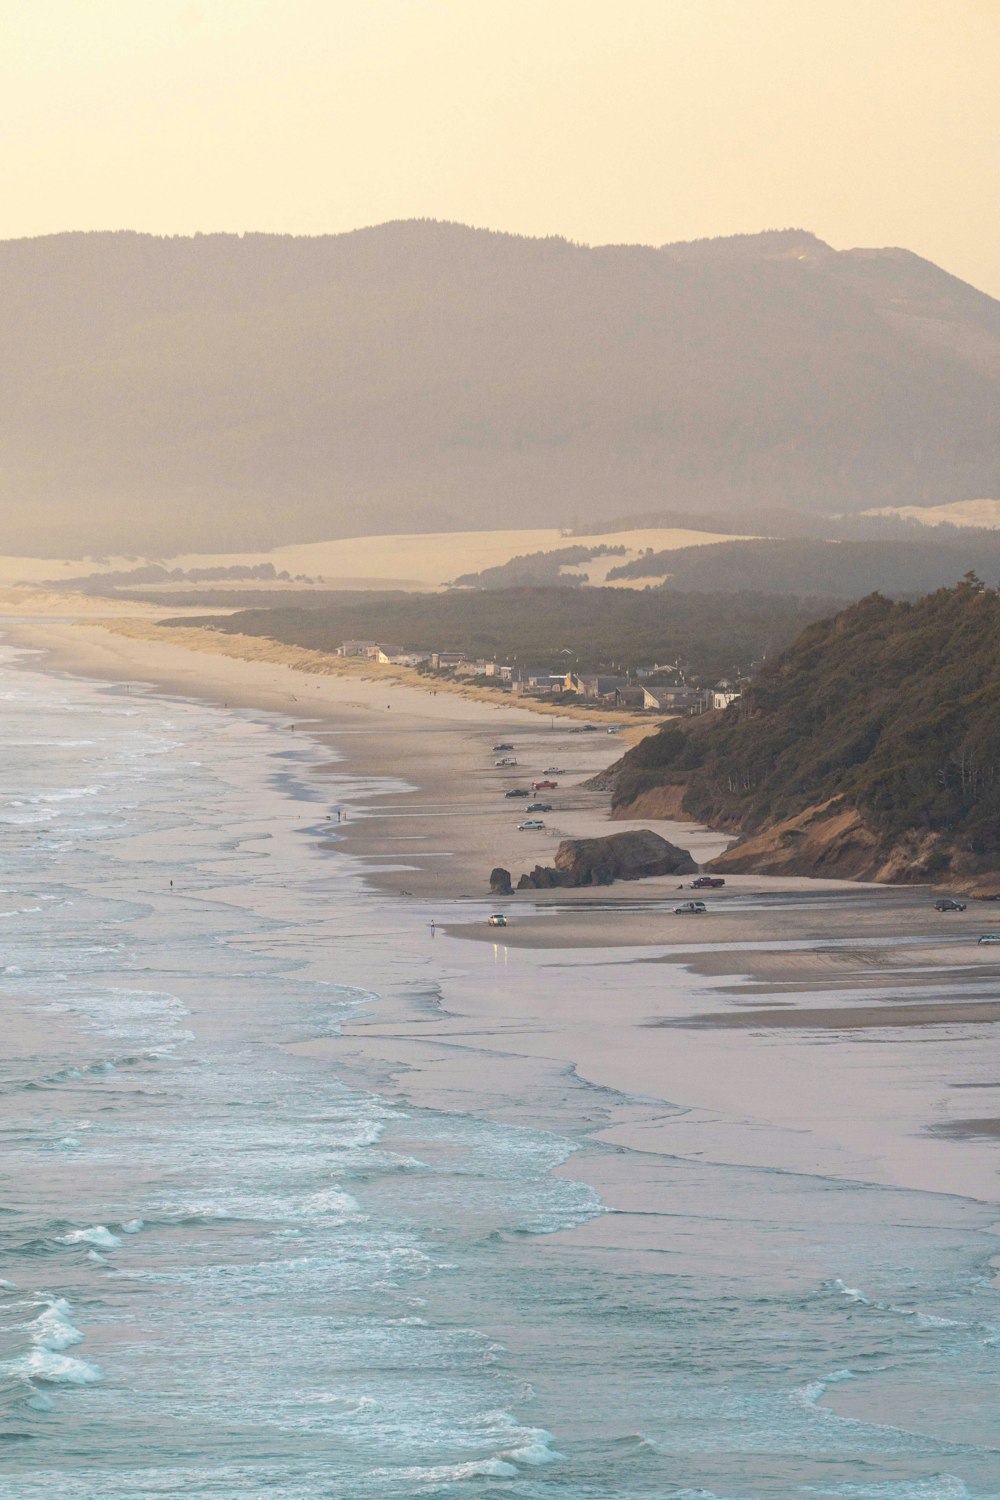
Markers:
(615, 988)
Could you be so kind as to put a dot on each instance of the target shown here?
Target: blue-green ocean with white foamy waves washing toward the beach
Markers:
(235, 1270)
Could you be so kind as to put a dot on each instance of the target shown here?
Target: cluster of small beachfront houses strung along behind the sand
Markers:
(593, 688)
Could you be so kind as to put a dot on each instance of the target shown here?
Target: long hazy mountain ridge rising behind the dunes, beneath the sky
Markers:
(223, 392)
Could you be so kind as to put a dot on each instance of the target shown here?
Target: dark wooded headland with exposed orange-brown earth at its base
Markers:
(872, 746)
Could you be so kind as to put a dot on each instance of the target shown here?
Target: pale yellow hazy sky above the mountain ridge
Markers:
(872, 122)
